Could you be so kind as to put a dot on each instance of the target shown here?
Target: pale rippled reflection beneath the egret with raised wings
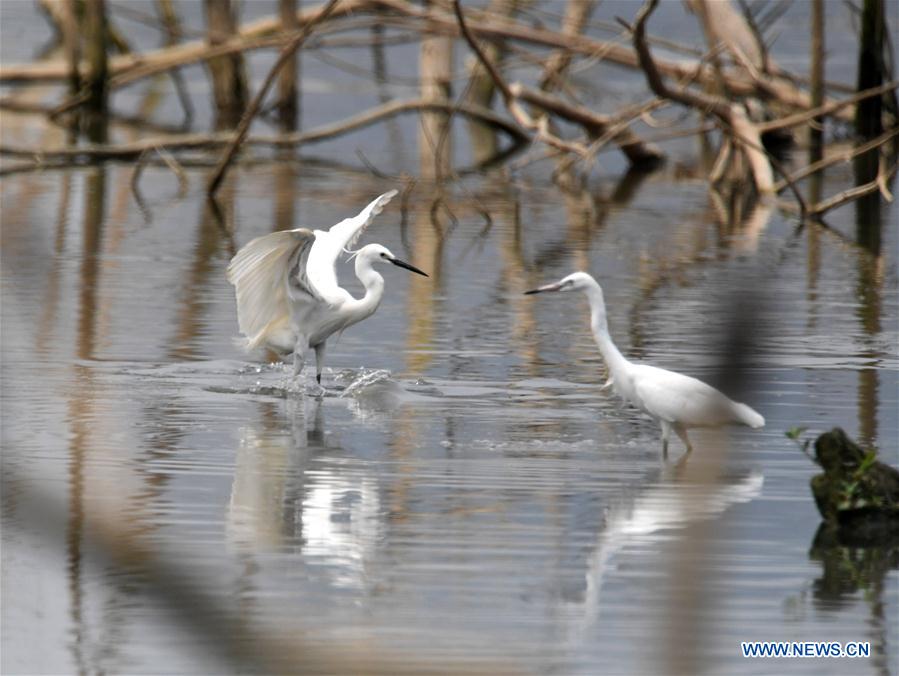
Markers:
(295, 489)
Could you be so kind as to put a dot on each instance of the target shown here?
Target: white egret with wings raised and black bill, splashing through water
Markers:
(288, 298)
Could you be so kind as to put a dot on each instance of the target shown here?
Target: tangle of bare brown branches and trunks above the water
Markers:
(729, 85)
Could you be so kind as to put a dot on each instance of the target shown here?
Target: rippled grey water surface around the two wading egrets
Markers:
(465, 497)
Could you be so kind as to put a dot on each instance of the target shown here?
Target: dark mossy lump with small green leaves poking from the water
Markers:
(855, 490)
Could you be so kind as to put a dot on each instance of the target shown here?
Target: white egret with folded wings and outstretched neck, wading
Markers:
(676, 401)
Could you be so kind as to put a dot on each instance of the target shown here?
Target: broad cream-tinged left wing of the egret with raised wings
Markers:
(269, 274)
